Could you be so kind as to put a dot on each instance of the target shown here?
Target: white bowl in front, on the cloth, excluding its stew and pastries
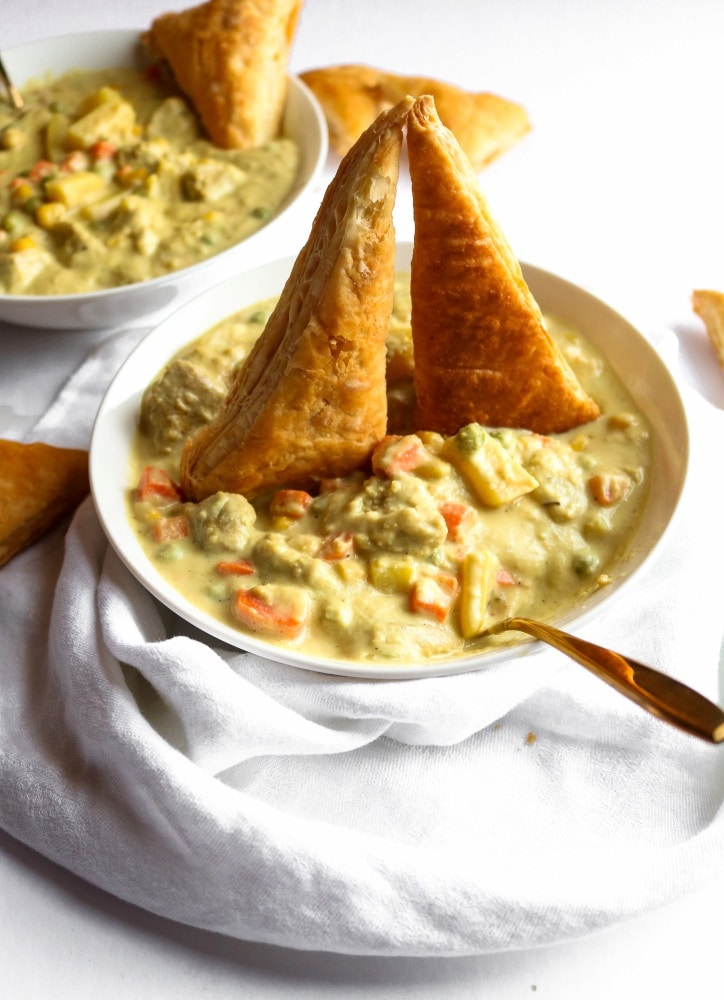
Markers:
(631, 355)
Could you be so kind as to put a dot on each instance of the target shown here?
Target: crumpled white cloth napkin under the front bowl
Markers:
(520, 805)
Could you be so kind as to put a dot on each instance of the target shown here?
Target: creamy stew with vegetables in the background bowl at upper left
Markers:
(107, 180)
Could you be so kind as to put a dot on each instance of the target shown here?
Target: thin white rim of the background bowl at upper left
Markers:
(310, 174)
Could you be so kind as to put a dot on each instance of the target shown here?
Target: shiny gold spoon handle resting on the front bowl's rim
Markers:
(664, 697)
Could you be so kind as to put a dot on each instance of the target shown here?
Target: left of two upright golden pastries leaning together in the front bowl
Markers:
(310, 400)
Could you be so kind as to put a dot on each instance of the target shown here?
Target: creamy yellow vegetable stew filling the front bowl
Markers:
(412, 557)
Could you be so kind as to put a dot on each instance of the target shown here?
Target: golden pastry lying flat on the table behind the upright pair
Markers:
(352, 96)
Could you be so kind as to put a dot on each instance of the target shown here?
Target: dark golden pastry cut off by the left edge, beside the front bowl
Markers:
(39, 484)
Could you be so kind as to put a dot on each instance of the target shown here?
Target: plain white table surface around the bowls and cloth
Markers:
(619, 188)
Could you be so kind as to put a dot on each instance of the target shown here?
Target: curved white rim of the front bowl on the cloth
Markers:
(115, 422)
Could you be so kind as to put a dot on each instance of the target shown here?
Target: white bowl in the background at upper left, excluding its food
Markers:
(303, 122)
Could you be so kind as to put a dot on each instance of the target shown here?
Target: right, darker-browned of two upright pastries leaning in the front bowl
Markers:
(482, 352)
